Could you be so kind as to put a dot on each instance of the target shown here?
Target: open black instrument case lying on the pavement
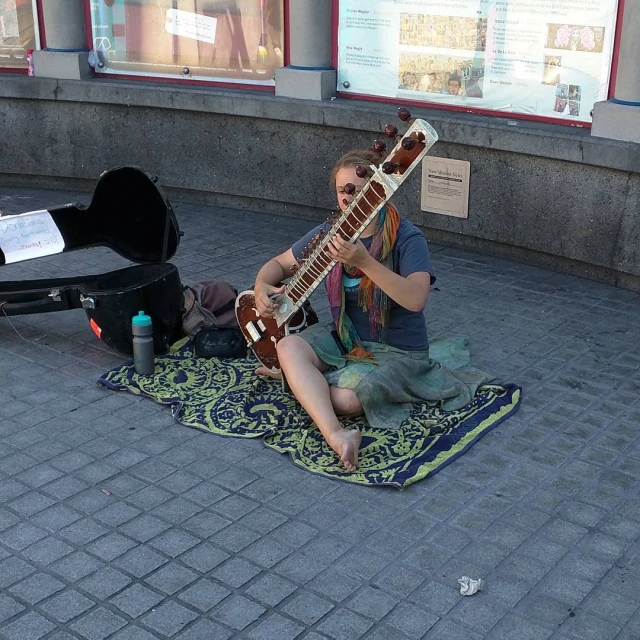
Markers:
(130, 214)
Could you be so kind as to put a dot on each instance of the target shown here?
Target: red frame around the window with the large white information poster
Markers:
(497, 114)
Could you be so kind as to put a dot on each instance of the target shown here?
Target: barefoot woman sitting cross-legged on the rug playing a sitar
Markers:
(374, 357)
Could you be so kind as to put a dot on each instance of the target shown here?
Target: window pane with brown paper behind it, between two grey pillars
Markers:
(237, 40)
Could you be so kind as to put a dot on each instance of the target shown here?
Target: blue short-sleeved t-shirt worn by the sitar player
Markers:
(406, 329)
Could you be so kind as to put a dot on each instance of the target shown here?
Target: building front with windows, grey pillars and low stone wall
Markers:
(269, 93)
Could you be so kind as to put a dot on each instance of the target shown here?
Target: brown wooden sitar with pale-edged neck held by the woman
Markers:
(263, 333)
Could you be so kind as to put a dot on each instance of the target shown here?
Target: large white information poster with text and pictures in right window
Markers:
(548, 58)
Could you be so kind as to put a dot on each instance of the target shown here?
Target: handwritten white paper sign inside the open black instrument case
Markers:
(29, 235)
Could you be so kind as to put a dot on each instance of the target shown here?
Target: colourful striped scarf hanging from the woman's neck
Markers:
(370, 297)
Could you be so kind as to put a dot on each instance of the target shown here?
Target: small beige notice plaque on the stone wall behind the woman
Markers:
(445, 186)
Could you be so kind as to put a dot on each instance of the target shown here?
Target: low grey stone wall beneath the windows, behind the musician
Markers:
(546, 194)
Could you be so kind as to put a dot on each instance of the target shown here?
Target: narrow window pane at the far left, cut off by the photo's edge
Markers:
(17, 32)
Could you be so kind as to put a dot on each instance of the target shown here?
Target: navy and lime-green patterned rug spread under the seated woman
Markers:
(227, 398)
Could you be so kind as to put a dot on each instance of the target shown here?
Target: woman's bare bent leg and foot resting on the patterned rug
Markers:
(304, 370)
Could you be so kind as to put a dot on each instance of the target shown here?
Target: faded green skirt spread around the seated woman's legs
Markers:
(388, 387)
